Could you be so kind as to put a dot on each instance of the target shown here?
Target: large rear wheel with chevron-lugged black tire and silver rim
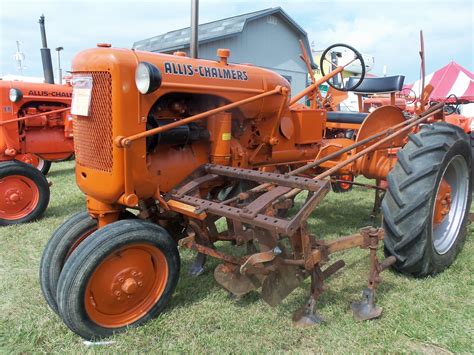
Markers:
(427, 203)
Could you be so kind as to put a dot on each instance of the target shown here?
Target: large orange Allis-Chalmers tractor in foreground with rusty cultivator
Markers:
(172, 150)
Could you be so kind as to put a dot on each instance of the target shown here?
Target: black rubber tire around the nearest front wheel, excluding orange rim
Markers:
(89, 254)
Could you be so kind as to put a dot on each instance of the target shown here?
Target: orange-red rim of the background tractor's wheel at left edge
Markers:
(19, 196)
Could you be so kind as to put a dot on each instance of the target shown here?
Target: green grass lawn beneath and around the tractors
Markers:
(420, 315)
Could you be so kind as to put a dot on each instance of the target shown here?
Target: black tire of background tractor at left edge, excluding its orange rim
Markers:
(19, 168)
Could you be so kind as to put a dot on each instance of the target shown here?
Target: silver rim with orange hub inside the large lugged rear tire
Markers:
(450, 204)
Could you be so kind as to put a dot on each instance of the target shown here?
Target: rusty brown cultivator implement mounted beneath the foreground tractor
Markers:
(281, 253)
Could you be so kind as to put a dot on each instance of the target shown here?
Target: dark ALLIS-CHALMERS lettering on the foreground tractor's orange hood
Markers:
(205, 72)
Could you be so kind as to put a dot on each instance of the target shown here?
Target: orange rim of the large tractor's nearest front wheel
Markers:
(126, 285)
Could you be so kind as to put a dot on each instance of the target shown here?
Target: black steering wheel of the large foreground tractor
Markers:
(334, 55)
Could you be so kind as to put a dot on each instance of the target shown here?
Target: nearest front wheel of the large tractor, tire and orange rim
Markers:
(120, 276)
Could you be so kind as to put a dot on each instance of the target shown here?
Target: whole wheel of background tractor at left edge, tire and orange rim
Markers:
(24, 193)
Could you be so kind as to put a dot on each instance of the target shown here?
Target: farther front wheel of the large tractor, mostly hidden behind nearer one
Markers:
(60, 246)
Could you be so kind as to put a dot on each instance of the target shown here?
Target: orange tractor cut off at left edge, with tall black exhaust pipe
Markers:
(35, 129)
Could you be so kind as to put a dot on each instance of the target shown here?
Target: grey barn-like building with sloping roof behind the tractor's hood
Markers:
(267, 38)
